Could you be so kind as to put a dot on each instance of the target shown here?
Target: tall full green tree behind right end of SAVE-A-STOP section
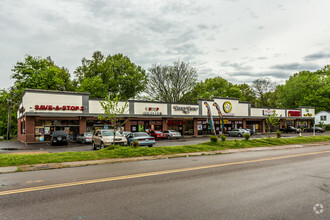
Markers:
(115, 75)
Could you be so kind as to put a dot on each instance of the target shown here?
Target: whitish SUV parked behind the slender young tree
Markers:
(103, 138)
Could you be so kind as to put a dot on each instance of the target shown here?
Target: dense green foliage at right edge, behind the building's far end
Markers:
(307, 89)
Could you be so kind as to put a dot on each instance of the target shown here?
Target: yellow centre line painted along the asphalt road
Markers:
(156, 173)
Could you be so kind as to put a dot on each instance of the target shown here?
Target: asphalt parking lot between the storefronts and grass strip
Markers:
(18, 147)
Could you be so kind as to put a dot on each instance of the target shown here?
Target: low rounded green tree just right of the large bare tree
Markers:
(213, 87)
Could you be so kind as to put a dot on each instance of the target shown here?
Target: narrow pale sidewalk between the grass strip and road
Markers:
(133, 159)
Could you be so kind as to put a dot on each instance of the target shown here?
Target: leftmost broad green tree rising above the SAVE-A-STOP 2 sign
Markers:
(41, 73)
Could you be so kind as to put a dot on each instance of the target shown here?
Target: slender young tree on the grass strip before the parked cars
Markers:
(113, 112)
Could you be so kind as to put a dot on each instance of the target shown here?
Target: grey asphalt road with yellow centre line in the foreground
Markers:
(275, 184)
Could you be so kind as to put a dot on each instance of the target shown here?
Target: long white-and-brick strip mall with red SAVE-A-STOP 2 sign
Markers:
(43, 111)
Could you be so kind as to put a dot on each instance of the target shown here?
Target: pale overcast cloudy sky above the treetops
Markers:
(239, 40)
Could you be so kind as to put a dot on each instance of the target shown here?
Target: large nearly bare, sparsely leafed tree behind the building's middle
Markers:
(171, 83)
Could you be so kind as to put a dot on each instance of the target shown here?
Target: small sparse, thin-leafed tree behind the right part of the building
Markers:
(263, 88)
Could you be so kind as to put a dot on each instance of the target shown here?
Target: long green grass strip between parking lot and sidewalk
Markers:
(124, 152)
